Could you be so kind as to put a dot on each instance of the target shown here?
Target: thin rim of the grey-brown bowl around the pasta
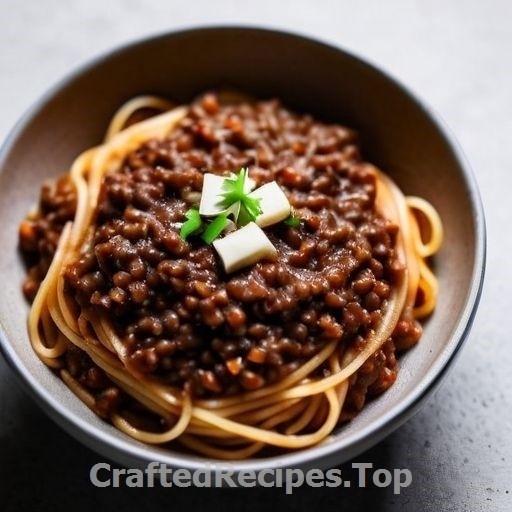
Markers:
(351, 445)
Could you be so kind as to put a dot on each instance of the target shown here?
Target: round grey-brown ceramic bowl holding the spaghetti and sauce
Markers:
(398, 132)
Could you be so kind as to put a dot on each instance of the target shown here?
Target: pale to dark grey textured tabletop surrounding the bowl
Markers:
(456, 56)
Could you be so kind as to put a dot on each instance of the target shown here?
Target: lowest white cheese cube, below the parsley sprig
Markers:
(244, 247)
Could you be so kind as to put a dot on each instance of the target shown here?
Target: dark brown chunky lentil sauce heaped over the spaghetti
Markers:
(180, 317)
